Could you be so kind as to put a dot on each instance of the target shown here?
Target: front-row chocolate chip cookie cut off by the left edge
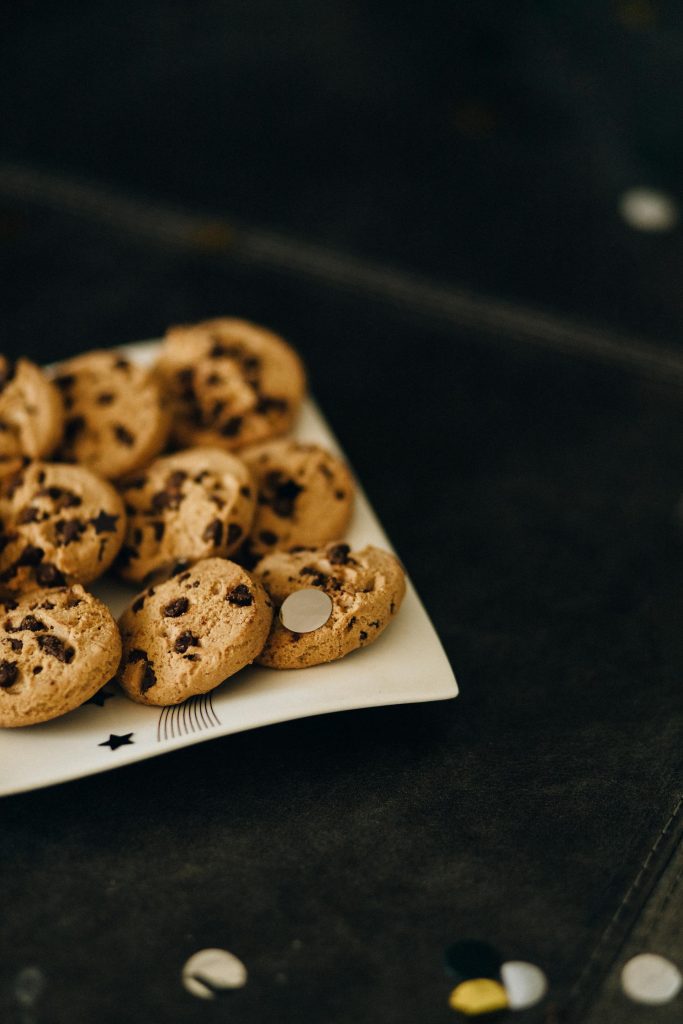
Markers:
(58, 648)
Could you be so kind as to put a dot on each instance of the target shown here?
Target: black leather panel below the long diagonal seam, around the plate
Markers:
(533, 501)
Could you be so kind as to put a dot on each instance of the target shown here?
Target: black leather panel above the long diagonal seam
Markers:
(486, 144)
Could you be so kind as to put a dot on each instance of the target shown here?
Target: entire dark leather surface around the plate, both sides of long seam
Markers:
(532, 495)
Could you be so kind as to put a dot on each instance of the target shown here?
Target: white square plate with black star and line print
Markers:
(406, 665)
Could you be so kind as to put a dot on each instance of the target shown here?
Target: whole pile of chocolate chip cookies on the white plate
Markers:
(181, 480)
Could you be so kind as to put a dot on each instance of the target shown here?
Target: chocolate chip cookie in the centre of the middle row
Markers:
(185, 507)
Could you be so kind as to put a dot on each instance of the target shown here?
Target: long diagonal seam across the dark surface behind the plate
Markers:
(218, 238)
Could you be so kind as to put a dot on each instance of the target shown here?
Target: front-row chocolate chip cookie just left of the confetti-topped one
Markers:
(189, 634)
